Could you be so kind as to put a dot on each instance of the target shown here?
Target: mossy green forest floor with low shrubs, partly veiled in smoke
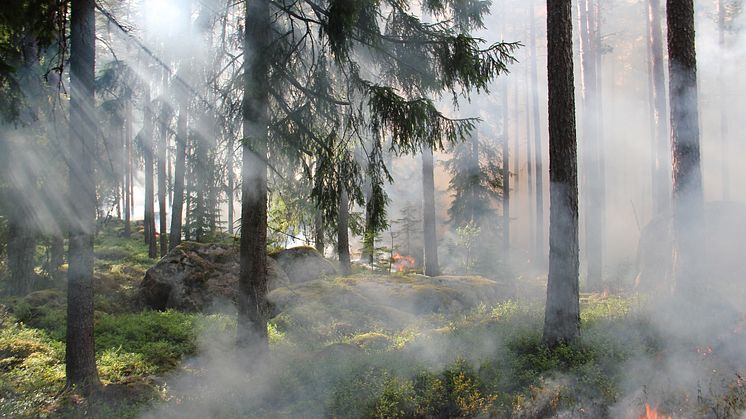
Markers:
(329, 359)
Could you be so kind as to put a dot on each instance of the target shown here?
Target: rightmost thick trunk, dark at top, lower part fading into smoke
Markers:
(688, 202)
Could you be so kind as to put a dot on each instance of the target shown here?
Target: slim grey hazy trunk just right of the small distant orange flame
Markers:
(430, 264)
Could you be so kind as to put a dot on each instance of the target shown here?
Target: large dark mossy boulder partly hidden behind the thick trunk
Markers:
(194, 276)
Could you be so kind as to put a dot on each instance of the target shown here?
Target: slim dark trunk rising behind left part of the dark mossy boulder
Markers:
(177, 204)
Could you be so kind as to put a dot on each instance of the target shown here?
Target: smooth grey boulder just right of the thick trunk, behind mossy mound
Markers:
(303, 264)
